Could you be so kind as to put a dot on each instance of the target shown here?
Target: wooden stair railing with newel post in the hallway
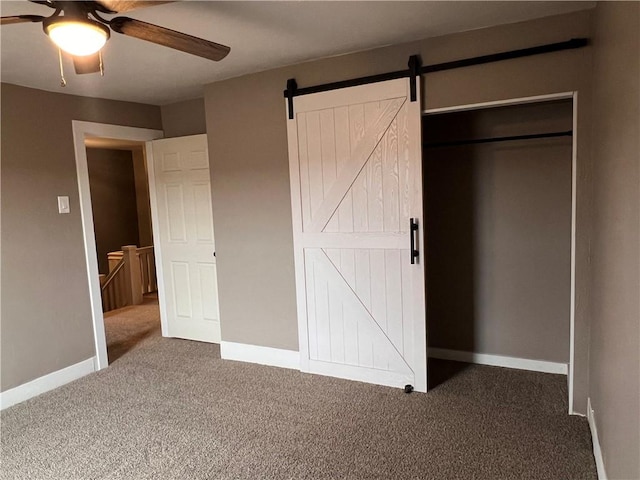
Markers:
(131, 275)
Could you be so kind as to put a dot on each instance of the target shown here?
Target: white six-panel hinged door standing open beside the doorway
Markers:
(185, 247)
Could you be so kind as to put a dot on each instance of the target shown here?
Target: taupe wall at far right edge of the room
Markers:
(615, 328)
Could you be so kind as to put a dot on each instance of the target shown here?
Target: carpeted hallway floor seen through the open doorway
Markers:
(126, 327)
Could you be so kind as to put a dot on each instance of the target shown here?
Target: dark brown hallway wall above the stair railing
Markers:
(113, 201)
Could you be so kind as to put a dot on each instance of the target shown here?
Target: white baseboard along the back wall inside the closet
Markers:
(499, 361)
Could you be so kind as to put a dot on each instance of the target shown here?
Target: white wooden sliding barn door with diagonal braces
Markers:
(356, 181)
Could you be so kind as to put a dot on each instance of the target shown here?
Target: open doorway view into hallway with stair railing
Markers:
(121, 211)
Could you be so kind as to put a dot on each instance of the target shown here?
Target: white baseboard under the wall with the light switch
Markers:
(45, 383)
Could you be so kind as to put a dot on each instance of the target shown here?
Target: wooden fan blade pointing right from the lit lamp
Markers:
(169, 38)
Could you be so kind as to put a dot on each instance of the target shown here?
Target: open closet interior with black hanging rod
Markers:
(499, 215)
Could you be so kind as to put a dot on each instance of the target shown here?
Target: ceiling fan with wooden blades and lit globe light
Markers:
(78, 28)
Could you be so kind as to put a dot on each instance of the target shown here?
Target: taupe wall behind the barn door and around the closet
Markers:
(246, 128)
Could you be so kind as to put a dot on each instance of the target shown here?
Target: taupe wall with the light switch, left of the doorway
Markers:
(46, 319)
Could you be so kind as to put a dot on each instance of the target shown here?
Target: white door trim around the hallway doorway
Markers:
(80, 131)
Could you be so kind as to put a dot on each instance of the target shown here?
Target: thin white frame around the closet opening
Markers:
(573, 95)
